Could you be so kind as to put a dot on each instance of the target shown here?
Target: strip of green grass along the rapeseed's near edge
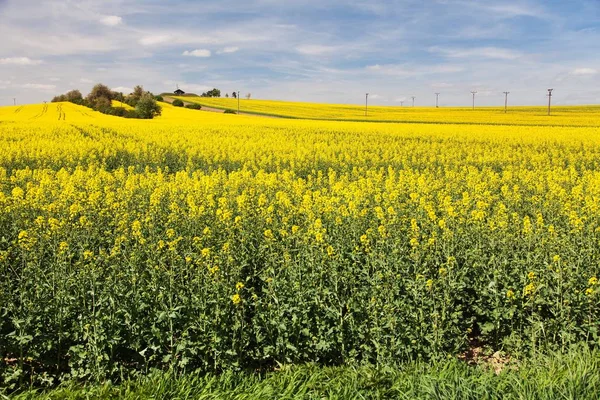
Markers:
(575, 375)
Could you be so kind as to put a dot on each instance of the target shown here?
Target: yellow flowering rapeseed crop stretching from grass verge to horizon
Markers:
(209, 241)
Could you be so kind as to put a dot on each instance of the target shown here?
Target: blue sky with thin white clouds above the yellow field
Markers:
(311, 50)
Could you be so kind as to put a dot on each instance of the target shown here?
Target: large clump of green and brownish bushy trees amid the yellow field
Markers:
(144, 103)
